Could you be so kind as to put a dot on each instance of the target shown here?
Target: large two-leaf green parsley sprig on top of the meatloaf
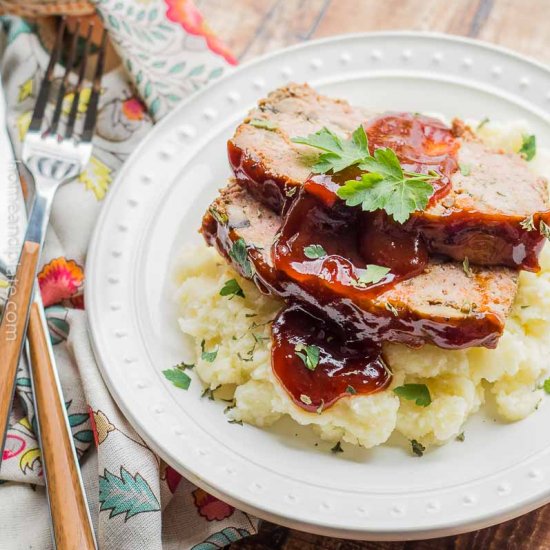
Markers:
(385, 187)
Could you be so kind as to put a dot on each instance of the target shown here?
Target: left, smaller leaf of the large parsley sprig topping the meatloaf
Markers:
(338, 153)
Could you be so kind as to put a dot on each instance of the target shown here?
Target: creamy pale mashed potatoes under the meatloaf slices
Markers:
(459, 381)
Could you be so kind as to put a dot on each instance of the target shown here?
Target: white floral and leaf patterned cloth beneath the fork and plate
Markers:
(136, 500)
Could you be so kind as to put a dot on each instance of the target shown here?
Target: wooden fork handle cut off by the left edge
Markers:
(13, 328)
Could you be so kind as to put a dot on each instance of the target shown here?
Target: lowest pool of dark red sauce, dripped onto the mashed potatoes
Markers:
(342, 370)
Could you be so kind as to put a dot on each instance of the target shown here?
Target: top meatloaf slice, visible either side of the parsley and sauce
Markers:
(480, 219)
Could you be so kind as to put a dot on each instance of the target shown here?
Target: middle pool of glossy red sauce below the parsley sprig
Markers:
(352, 239)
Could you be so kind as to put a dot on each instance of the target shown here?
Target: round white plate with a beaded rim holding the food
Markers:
(499, 472)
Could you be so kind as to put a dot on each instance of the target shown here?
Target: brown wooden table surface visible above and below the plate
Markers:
(253, 27)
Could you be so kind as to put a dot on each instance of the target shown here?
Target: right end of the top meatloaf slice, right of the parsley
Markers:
(481, 218)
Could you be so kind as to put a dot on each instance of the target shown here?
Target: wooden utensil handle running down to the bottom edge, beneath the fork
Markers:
(71, 525)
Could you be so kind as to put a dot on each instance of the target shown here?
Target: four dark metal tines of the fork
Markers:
(78, 65)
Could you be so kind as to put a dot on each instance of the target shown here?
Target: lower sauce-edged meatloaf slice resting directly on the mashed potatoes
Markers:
(442, 306)
